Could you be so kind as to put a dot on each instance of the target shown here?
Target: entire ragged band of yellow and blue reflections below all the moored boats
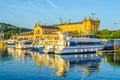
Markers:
(84, 64)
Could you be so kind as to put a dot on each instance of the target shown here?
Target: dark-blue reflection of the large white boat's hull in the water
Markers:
(88, 63)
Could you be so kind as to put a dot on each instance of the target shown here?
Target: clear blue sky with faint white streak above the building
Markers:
(25, 13)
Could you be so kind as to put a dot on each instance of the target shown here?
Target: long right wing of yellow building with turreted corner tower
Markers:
(87, 26)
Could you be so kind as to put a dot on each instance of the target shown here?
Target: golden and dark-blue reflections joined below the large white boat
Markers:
(87, 63)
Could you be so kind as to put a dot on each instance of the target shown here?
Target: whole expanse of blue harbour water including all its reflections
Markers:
(27, 65)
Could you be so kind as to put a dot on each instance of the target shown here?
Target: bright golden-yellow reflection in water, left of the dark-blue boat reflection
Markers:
(51, 61)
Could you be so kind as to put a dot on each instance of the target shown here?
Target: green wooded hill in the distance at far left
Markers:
(9, 29)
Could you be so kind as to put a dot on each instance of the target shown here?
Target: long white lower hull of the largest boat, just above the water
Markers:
(80, 49)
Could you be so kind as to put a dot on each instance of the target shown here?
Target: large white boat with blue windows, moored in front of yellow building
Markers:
(69, 45)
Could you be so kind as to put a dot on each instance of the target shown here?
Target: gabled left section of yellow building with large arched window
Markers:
(41, 31)
